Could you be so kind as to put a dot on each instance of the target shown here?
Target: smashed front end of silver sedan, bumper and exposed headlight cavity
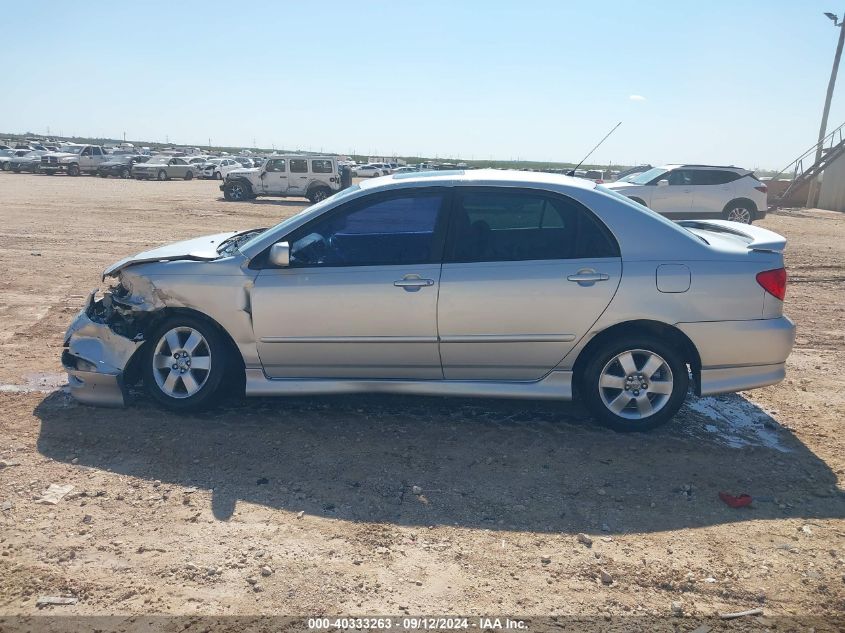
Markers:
(100, 344)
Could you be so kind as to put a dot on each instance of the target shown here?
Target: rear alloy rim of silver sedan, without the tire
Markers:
(635, 384)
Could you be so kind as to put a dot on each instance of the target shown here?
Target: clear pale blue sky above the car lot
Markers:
(723, 82)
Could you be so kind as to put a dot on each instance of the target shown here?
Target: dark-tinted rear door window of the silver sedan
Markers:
(521, 226)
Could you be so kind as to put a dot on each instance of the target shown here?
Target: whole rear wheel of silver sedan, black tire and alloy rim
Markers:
(611, 383)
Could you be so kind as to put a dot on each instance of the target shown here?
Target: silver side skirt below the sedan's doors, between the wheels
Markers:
(555, 386)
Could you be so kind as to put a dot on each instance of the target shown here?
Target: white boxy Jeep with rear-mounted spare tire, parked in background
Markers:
(312, 177)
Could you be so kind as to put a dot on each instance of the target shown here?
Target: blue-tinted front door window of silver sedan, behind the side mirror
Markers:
(387, 230)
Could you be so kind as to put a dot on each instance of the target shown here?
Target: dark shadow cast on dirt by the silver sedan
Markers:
(496, 464)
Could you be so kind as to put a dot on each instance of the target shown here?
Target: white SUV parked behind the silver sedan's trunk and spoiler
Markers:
(698, 191)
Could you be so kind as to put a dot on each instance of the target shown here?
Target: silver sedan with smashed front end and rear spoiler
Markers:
(488, 283)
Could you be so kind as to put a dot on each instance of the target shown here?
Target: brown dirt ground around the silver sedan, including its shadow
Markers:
(395, 505)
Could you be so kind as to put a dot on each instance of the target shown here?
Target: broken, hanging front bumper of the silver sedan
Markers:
(95, 358)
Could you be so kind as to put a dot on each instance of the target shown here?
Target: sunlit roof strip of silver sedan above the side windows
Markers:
(510, 177)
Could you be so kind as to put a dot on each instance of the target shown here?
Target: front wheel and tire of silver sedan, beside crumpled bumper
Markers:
(188, 387)
